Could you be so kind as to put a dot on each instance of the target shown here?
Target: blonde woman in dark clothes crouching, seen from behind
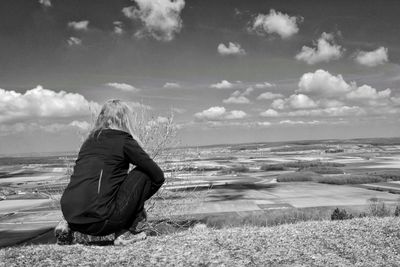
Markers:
(102, 197)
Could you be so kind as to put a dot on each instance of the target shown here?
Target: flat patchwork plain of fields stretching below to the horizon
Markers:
(227, 179)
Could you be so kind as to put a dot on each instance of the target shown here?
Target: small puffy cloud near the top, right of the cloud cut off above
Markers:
(275, 22)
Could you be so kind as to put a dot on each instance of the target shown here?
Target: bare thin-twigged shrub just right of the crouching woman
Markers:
(158, 136)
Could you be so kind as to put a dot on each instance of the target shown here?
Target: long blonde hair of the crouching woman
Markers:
(115, 114)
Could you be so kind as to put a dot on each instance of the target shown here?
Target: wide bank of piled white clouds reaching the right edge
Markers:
(334, 97)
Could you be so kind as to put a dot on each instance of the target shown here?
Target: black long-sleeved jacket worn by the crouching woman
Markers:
(101, 167)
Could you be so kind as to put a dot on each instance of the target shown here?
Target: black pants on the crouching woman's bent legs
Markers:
(132, 194)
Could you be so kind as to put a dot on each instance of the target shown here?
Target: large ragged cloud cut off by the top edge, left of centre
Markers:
(160, 18)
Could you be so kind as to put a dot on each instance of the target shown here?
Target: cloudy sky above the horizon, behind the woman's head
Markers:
(231, 71)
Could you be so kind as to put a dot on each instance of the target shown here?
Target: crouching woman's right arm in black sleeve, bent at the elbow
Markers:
(137, 156)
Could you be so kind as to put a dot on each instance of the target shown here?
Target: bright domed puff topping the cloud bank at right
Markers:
(323, 83)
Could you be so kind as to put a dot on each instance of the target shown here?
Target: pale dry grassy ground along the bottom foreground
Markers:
(356, 242)
